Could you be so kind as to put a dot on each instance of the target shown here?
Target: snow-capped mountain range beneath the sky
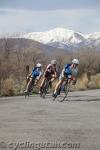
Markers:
(64, 38)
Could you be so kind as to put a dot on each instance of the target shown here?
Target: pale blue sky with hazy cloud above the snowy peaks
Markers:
(22, 16)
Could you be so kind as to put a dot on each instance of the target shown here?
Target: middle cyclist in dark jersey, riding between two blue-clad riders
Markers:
(50, 74)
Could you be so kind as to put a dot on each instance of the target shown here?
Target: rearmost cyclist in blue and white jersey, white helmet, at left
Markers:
(35, 75)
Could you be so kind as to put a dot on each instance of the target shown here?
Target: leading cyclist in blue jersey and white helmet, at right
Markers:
(69, 70)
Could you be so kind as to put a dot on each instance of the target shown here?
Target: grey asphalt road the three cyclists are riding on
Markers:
(39, 124)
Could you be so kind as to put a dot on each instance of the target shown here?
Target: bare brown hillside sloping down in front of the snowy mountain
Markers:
(27, 45)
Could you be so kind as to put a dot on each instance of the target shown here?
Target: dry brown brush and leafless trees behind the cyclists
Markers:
(16, 64)
